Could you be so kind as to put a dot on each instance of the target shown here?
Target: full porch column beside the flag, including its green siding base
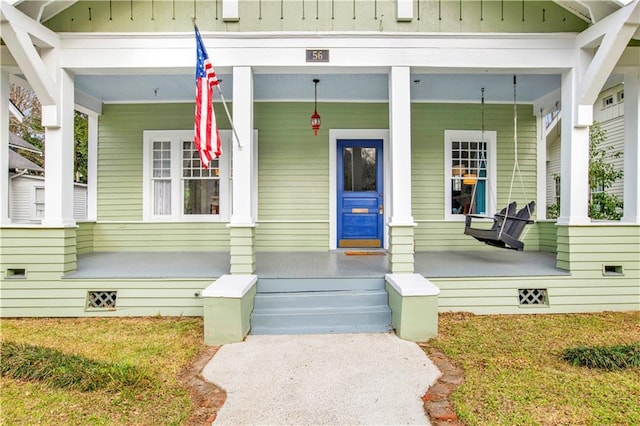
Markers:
(242, 224)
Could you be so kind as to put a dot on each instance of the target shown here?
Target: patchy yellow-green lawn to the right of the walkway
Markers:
(515, 375)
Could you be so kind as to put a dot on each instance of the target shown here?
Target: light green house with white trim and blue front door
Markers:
(420, 123)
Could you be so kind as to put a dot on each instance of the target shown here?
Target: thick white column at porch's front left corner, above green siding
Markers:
(59, 156)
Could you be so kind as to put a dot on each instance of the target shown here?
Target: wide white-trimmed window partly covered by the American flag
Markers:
(176, 187)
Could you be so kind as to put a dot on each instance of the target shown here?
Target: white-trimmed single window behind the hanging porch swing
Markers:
(470, 173)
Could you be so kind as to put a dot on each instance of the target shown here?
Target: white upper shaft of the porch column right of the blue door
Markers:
(400, 135)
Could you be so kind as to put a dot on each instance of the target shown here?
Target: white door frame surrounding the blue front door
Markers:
(334, 135)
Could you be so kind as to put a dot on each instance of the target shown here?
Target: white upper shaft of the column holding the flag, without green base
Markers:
(243, 159)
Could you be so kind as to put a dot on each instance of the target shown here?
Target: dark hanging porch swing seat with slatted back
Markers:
(512, 224)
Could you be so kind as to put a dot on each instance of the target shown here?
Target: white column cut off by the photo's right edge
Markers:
(631, 148)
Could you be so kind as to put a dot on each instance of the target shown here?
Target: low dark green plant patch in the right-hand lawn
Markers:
(614, 357)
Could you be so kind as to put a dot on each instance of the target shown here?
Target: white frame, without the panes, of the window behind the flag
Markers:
(176, 137)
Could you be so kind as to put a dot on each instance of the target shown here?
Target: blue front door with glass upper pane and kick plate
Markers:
(360, 203)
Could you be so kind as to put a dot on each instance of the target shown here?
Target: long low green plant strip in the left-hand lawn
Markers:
(26, 362)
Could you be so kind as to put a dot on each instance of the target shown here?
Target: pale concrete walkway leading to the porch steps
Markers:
(335, 379)
